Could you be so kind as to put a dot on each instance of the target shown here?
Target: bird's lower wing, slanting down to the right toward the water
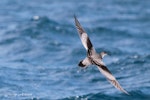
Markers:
(105, 71)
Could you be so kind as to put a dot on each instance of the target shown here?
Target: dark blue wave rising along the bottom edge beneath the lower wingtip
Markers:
(134, 95)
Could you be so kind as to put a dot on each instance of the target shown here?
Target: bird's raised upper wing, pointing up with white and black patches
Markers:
(83, 36)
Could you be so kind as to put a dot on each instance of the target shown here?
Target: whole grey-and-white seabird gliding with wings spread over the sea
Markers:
(94, 58)
